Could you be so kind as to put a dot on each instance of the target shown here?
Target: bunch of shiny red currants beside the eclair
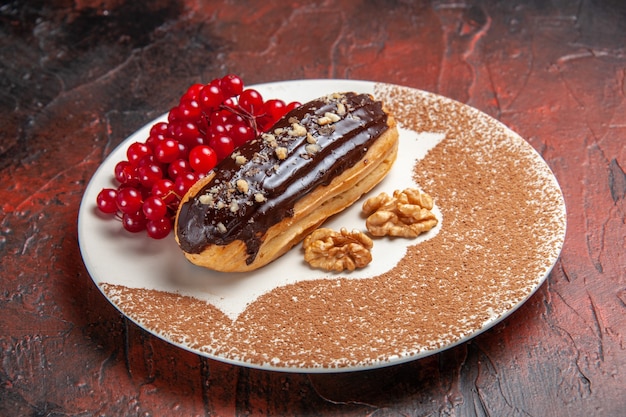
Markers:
(210, 121)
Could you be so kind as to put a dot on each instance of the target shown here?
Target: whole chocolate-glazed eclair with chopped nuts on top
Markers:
(274, 190)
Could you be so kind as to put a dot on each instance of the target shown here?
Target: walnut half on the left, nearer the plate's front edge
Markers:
(337, 251)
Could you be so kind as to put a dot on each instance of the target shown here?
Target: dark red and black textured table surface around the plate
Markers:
(78, 77)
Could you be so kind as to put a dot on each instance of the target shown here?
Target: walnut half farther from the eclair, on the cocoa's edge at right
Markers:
(406, 214)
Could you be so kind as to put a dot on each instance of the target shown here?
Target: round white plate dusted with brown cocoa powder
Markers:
(289, 317)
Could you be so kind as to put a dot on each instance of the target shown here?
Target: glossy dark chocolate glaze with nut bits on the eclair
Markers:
(259, 185)
